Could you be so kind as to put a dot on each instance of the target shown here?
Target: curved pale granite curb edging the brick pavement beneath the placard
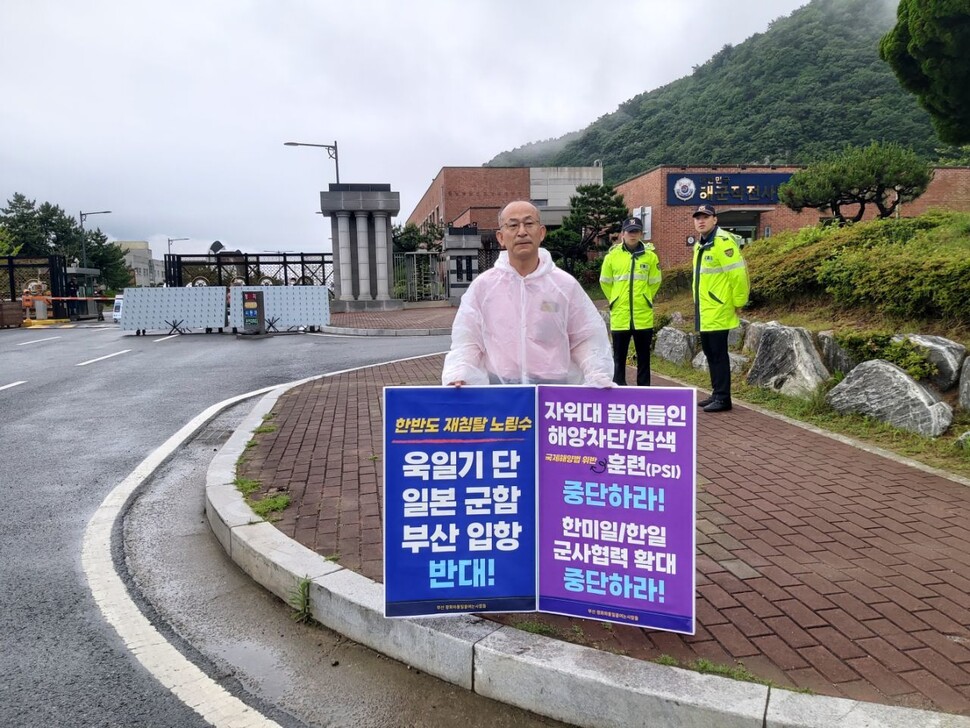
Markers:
(560, 680)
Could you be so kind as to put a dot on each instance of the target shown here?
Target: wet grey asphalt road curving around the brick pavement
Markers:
(80, 408)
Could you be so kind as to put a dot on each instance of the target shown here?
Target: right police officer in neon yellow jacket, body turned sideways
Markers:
(720, 288)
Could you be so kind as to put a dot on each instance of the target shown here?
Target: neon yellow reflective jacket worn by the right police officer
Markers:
(720, 282)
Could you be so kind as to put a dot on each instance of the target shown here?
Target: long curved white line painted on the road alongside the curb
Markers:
(169, 666)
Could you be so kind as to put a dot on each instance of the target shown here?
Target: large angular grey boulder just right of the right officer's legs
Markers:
(787, 361)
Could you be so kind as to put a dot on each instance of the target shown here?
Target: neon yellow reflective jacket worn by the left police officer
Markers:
(630, 281)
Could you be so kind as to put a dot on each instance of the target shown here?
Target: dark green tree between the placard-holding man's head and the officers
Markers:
(595, 211)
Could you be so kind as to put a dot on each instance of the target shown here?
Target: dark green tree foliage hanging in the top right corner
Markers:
(928, 52)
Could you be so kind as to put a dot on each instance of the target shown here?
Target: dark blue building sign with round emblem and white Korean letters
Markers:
(728, 188)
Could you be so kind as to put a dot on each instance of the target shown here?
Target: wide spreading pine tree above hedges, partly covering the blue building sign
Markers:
(883, 175)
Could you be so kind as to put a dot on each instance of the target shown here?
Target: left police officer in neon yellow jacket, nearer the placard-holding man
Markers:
(630, 277)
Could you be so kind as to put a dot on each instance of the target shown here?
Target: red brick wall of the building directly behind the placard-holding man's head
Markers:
(457, 189)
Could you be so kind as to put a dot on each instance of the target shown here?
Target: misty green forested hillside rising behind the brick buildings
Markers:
(812, 83)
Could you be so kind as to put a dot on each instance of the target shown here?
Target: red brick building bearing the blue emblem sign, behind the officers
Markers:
(746, 198)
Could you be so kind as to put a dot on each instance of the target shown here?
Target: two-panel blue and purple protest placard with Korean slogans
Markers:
(569, 500)
